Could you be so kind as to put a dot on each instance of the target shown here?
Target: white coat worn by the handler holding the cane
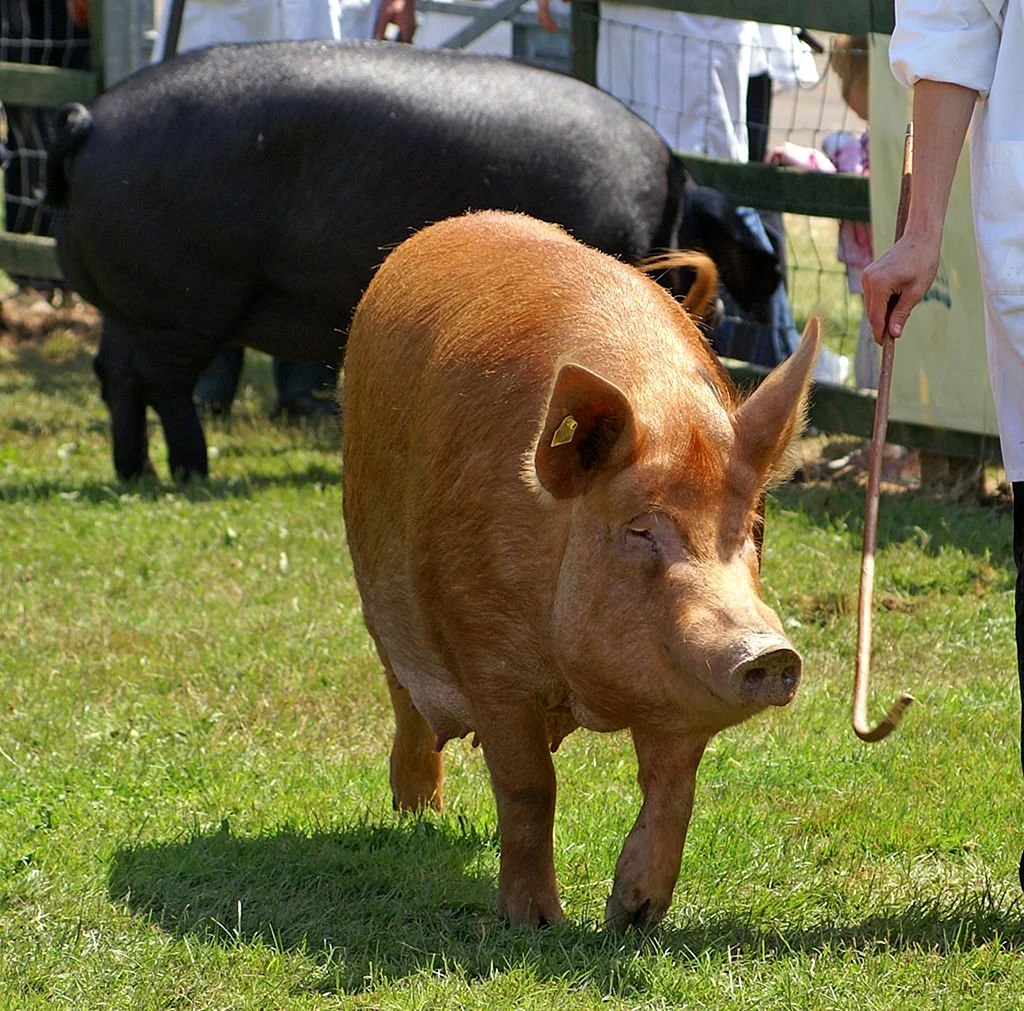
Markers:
(978, 45)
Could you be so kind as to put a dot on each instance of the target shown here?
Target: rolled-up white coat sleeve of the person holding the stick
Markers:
(953, 41)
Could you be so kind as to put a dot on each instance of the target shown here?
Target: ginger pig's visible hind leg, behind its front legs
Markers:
(417, 767)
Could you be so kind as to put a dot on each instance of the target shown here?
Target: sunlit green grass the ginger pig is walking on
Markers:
(194, 801)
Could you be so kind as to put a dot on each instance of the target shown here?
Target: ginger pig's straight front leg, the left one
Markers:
(515, 736)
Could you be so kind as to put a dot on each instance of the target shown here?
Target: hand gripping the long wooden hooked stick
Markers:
(902, 276)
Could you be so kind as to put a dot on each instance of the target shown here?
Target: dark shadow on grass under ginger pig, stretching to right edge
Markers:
(379, 903)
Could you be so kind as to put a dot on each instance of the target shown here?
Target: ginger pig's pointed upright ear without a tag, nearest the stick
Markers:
(774, 415)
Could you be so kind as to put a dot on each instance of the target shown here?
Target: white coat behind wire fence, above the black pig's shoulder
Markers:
(686, 74)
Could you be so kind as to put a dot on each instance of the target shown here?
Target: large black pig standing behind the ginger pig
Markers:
(245, 195)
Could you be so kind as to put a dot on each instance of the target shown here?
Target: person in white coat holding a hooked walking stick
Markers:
(963, 59)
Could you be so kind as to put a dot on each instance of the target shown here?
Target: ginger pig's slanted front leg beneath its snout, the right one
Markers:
(649, 865)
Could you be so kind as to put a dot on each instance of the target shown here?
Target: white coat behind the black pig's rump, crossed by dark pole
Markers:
(207, 23)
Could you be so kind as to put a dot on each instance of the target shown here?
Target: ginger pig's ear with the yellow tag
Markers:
(589, 430)
